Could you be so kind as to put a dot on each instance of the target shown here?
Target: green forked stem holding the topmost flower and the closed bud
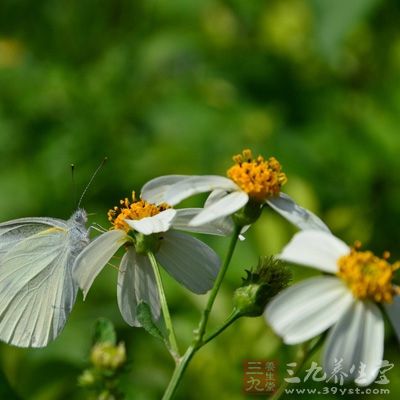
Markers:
(198, 341)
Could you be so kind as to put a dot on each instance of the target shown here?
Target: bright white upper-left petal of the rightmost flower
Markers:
(316, 249)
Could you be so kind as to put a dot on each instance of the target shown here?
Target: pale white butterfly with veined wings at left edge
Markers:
(37, 291)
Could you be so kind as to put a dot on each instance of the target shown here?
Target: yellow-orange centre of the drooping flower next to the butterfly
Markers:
(138, 209)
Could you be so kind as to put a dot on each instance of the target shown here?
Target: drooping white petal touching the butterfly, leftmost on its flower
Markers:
(95, 256)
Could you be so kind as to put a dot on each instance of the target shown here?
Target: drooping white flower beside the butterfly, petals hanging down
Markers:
(142, 226)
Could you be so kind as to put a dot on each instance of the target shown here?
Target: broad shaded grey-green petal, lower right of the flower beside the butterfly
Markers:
(189, 261)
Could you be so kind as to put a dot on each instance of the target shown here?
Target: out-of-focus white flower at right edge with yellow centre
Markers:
(344, 301)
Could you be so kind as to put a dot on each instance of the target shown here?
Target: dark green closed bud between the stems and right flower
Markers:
(260, 286)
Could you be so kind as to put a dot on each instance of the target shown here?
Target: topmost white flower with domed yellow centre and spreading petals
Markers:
(255, 180)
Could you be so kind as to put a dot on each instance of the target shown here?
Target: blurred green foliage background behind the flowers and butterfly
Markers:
(175, 86)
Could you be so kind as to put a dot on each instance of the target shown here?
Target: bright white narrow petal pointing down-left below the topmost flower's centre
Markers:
(226, 206)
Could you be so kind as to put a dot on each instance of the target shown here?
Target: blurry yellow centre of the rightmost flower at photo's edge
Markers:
(368, 276)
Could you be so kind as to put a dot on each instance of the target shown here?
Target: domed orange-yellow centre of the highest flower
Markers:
(257, 177)
